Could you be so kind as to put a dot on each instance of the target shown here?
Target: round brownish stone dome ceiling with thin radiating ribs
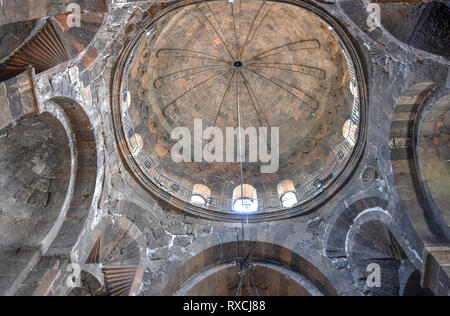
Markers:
(282, 65)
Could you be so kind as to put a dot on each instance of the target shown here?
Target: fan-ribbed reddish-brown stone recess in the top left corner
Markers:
(54, 39)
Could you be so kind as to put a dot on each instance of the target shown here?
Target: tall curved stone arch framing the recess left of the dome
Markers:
(83, 115)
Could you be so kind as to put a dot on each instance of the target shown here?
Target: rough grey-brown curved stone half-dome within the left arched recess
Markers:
(35, 163)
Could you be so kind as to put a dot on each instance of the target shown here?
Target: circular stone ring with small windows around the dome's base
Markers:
(163, 186)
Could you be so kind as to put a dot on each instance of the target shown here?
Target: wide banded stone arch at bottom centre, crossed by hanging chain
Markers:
(290, 254)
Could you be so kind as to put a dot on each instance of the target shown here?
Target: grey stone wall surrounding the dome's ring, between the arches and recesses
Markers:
(174, 238)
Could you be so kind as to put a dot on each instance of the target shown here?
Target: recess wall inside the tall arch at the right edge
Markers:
(432, 157)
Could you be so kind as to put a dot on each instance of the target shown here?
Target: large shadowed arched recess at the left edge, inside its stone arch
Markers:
(37, 176)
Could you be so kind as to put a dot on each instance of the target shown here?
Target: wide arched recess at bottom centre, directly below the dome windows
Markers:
(282, 263)
